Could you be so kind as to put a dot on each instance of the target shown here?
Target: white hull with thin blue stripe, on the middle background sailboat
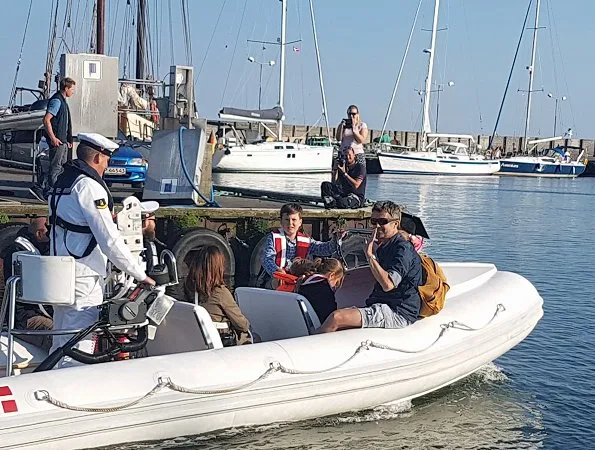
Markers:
(427, 164)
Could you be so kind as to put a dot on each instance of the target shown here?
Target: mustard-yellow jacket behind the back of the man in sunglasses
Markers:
(434, 288)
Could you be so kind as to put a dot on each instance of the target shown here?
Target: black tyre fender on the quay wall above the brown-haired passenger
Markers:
(190, 240)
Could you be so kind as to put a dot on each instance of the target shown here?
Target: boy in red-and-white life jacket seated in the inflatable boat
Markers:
(288, 242)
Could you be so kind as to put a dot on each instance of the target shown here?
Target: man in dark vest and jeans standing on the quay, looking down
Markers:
(58, 128)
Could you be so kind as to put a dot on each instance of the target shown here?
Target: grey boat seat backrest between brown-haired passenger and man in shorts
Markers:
(275, 315)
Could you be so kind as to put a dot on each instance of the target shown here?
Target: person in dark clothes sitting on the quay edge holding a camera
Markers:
(348, 188)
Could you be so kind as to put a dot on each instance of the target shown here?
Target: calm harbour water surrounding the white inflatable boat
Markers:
(541, 394)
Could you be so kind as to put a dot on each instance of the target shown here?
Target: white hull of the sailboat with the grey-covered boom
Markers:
(273, 157)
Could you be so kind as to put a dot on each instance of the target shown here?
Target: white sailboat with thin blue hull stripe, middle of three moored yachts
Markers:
(436, 157)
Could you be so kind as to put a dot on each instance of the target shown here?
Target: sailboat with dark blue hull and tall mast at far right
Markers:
(546, 163)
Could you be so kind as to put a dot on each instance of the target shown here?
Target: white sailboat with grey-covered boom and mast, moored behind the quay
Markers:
(270, 156)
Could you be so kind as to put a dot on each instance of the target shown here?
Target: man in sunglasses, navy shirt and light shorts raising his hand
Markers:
(396, 266)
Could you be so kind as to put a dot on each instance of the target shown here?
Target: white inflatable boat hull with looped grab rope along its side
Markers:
(374, 376)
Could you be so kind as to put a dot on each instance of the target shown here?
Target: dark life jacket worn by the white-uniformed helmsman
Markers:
(73, 172)
